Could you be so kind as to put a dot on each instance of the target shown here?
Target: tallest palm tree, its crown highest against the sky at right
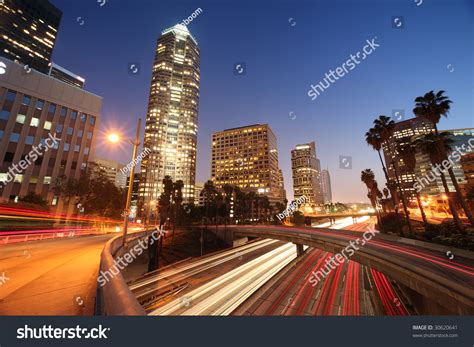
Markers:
(432, 107)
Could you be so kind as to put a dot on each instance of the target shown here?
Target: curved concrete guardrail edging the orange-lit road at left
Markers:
(115, 298)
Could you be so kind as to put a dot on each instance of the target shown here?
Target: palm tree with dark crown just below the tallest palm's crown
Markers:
(431, 144)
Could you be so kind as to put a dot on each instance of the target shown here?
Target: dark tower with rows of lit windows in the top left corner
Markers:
(28, 30)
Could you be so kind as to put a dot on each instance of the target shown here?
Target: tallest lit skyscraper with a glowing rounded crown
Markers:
(172, 118)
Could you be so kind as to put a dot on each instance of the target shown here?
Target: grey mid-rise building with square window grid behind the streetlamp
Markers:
(33, 107)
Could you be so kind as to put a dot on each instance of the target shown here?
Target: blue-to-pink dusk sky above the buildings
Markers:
(286, 46)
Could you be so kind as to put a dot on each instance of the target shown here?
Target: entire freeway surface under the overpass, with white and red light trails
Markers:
(270, 280)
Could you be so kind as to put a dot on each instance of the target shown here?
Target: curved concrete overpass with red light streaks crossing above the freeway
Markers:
(439, 283)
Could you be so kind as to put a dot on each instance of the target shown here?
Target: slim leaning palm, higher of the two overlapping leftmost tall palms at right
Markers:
(385, 126)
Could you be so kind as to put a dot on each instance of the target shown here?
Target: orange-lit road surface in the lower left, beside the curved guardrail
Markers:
(51, 277)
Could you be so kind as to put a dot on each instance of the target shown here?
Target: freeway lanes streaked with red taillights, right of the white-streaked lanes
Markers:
(350, 289)
